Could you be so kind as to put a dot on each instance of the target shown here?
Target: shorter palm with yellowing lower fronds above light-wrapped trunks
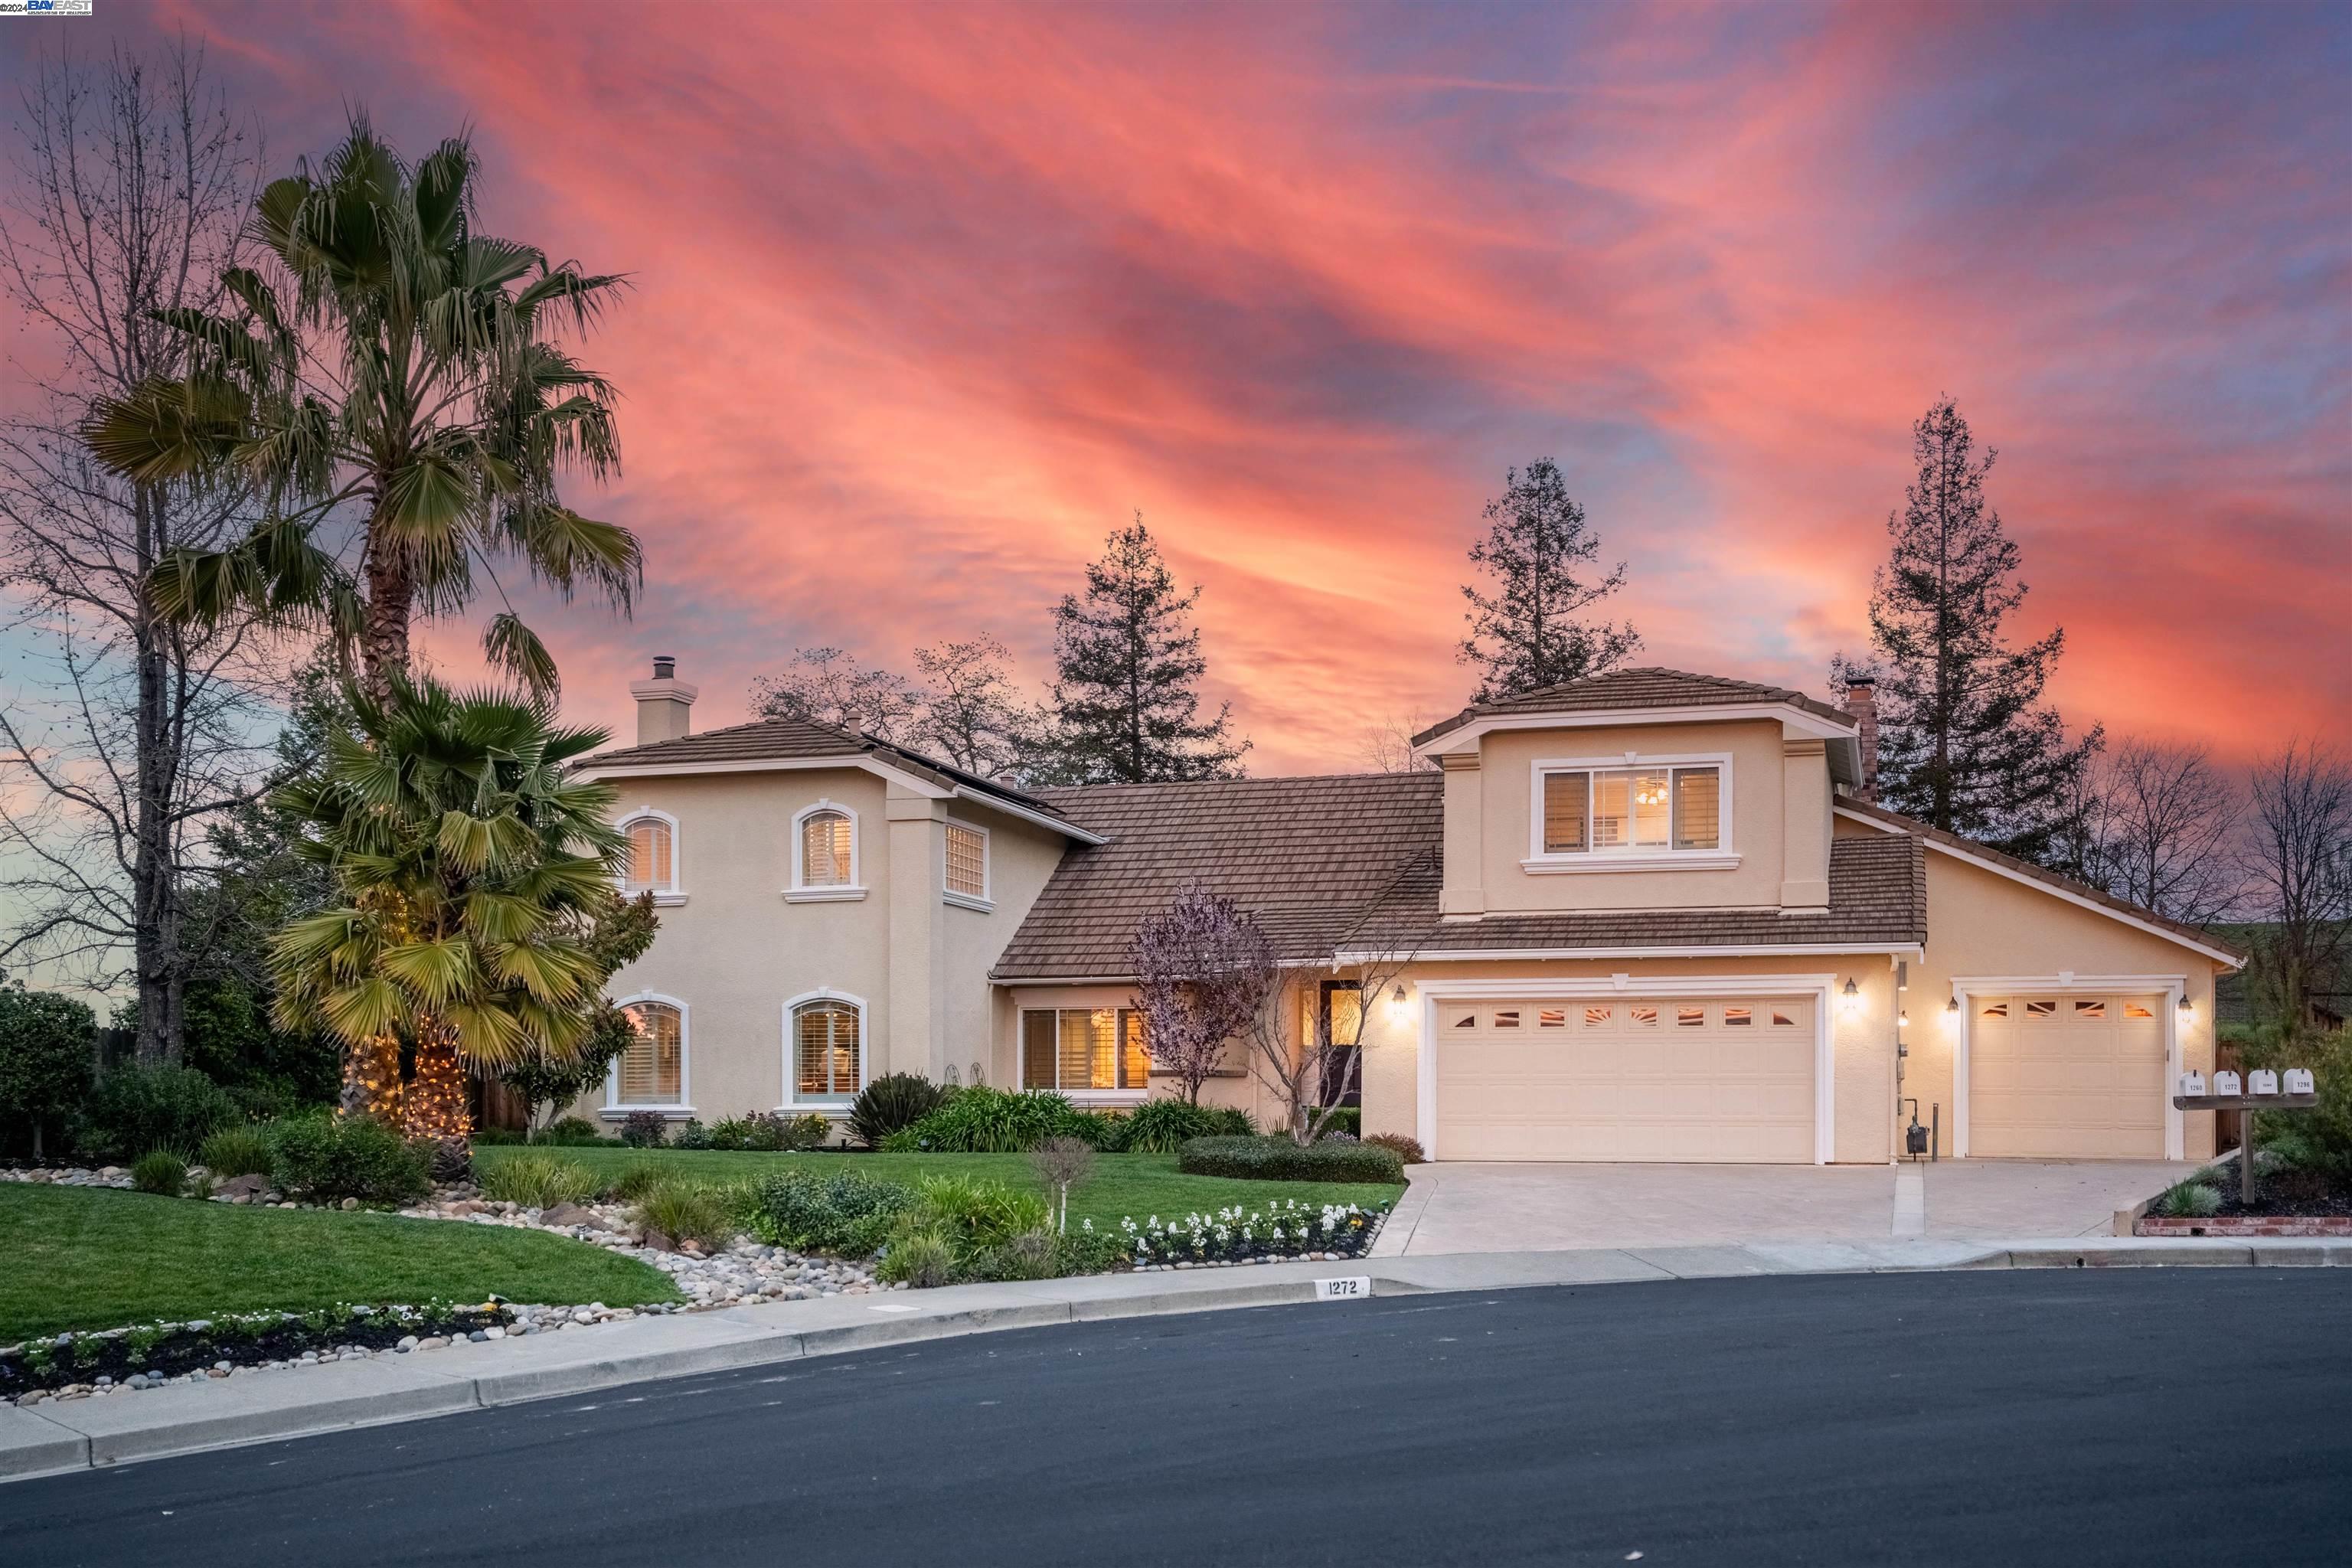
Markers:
(469, 871)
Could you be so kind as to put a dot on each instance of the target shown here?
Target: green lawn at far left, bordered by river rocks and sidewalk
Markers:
(100, 1259)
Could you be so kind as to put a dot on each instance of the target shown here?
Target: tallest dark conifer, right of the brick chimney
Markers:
(1965, 739)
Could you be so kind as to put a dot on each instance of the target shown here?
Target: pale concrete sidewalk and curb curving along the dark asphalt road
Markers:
(269, 1407)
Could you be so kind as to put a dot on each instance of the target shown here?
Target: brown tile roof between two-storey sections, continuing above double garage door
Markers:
(1354, 864)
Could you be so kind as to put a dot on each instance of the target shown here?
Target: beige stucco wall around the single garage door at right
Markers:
(1986, 925)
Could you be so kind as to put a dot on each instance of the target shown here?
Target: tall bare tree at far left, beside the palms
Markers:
(133, 180)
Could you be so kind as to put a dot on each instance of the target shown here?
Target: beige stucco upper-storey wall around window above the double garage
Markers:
(1504, 819)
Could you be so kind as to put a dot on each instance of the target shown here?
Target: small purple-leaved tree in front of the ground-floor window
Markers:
(1205, 972)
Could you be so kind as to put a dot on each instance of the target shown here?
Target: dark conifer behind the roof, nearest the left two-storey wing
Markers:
(1128, 664)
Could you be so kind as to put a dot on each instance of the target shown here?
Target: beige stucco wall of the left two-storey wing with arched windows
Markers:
(737, 951)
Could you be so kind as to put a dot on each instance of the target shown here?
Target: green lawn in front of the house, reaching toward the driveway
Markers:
(1123, 1186)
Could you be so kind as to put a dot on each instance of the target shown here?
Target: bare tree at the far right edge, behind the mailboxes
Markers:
(2299, 864)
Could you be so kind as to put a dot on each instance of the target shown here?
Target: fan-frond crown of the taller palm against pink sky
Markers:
(396, 368)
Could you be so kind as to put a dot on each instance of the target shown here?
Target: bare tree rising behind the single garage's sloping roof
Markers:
(2160, 831)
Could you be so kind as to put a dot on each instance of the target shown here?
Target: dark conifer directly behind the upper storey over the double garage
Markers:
(1528, 636)
